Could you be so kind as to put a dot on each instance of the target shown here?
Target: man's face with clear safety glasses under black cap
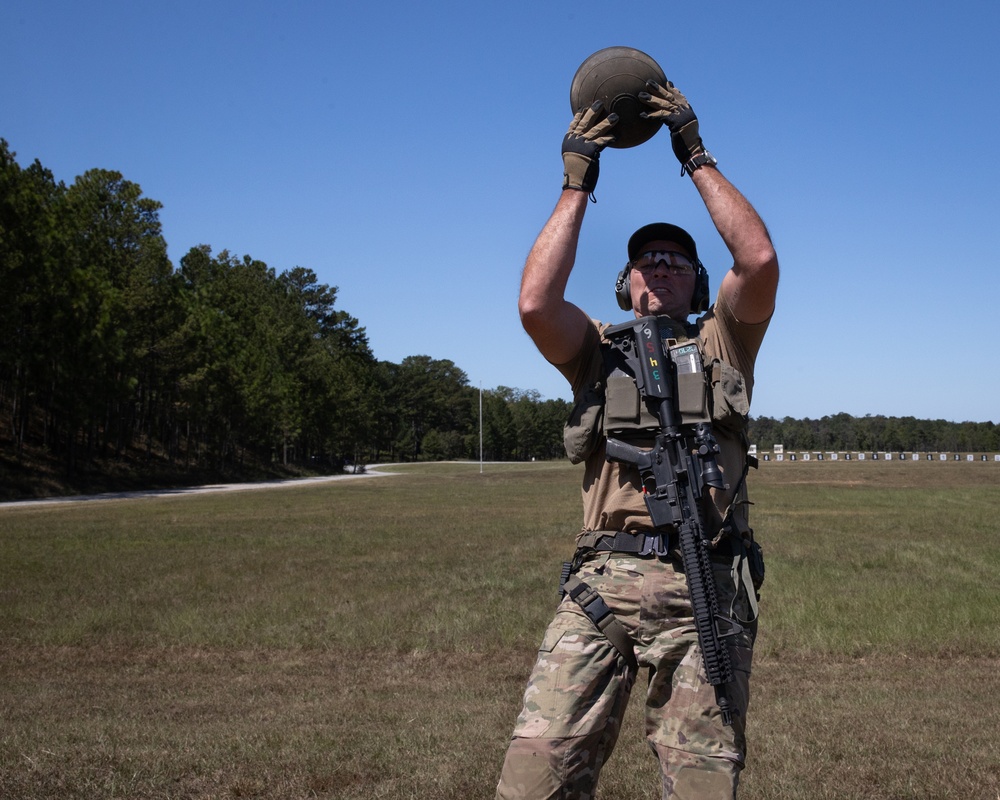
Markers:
(662, 280)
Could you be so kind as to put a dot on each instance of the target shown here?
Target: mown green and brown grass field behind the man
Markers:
(372, 638)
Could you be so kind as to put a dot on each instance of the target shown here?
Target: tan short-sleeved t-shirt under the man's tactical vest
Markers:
(612, 492)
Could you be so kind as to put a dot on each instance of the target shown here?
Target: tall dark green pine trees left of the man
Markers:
(108, 349)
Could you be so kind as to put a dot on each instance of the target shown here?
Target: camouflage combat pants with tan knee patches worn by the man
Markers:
(580, 686)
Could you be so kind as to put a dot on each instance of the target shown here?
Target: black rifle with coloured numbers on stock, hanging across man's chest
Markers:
(674, 473)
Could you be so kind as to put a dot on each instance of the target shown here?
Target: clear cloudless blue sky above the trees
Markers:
(409, 154)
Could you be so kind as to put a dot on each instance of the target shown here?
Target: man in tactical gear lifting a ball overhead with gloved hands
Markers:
(580, 685)
